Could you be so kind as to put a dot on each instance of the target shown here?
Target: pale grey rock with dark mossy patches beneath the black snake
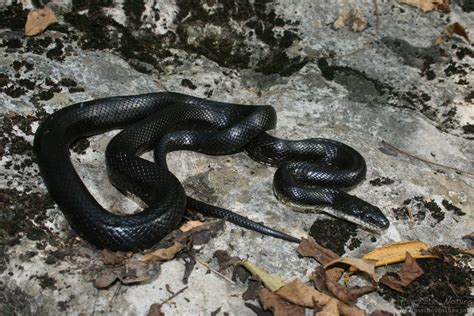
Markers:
(383, 85)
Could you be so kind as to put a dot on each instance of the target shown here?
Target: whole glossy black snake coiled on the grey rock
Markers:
(309, 171)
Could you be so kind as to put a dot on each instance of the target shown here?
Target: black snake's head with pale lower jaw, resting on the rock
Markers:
(359, 212)
